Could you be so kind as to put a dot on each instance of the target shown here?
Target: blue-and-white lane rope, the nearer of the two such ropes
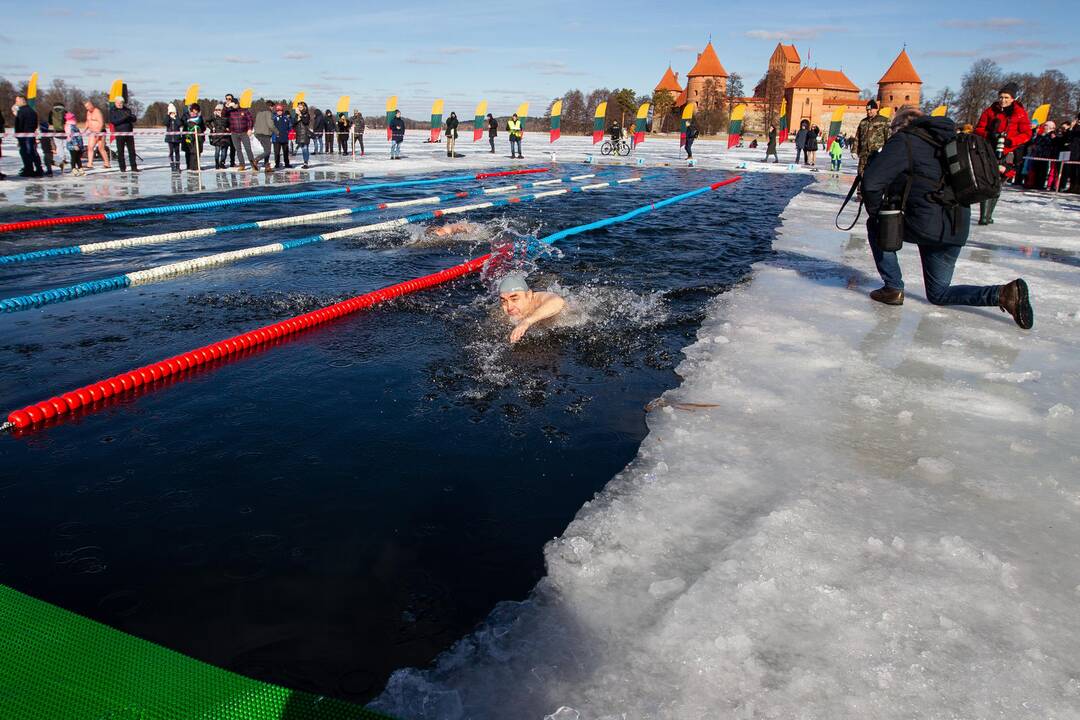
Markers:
(184, 267)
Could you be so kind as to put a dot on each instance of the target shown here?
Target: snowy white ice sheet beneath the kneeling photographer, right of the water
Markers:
(845, 511)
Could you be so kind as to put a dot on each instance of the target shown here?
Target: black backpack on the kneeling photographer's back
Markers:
(969, 169)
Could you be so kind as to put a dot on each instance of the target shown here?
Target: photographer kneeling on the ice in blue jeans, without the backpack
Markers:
(902, 187)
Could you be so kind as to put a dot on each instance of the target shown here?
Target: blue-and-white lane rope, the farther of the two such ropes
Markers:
(266, 225)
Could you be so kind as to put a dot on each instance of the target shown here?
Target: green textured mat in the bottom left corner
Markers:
(57, 665)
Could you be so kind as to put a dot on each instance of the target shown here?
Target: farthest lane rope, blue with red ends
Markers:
(211, 205)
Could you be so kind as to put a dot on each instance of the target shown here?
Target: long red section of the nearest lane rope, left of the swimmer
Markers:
(91, 398)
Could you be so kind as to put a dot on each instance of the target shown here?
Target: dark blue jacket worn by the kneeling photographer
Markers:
(887, 173)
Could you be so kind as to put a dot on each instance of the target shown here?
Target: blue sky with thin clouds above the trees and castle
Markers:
(505, 53)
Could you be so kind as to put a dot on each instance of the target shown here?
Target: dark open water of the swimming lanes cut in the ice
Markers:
(354, 501)
